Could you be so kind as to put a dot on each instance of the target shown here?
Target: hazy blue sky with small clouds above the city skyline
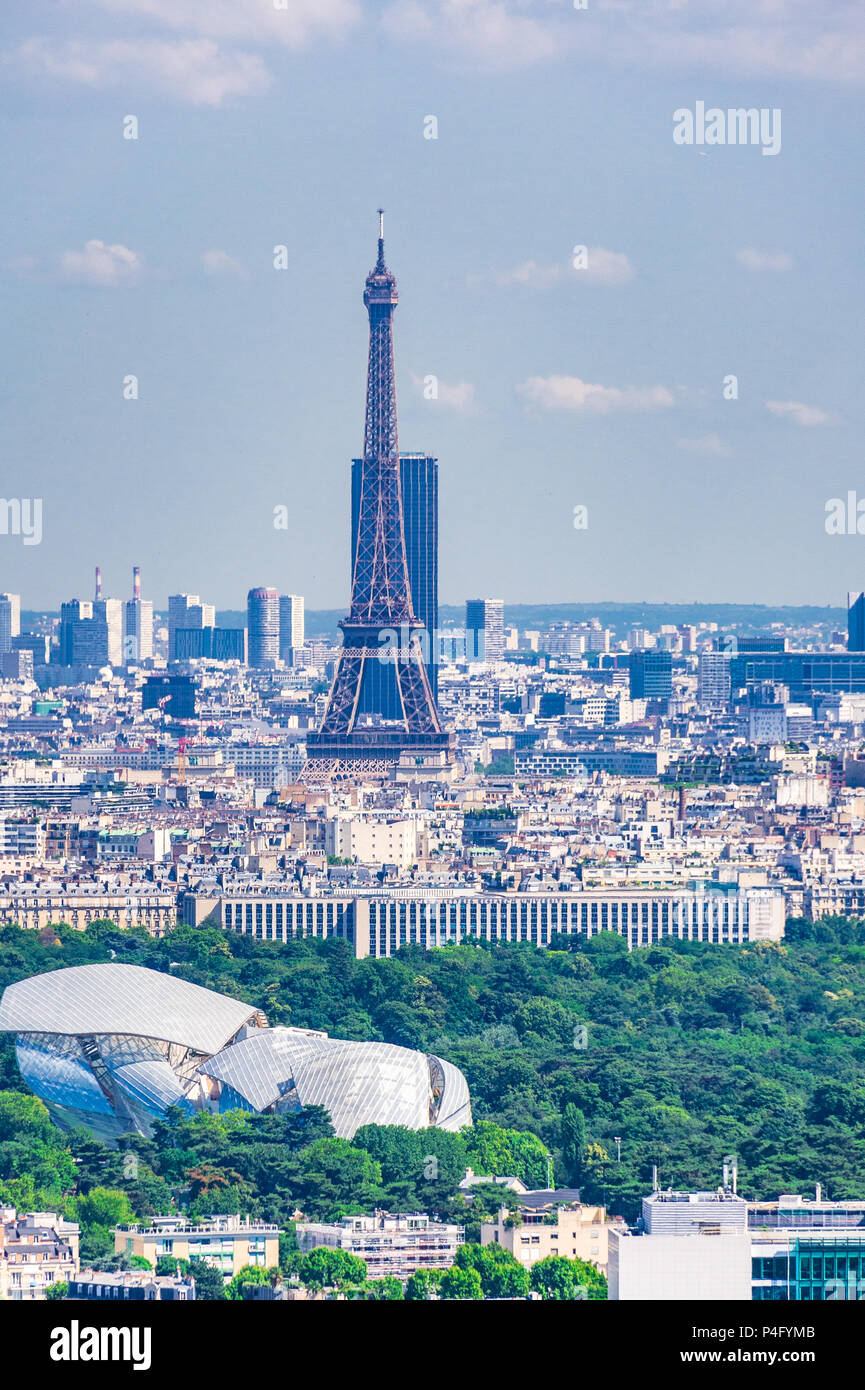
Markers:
(558, 387)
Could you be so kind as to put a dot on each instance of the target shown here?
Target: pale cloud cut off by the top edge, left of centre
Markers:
(297, 24)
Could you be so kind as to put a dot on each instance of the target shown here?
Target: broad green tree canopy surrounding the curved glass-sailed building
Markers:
(685, 1052)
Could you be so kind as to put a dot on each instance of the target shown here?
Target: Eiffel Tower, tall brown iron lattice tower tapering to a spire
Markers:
(382, 622)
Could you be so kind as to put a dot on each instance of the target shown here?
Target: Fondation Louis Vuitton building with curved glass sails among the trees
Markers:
(113, 1046)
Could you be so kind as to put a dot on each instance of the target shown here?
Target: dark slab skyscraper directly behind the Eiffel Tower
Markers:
(419, 494)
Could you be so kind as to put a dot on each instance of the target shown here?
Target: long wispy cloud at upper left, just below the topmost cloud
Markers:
(194, 70)
